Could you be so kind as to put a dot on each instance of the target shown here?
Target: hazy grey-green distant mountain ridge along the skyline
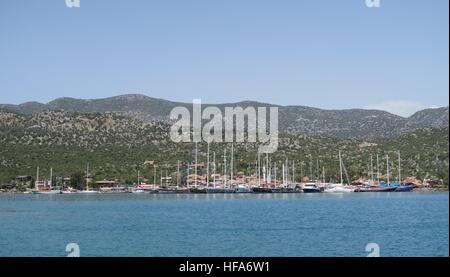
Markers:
(351, 123)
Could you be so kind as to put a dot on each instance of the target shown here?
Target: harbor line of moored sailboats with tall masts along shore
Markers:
(267, 176)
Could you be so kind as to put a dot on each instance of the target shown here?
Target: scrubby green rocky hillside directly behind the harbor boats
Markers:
(117, 146)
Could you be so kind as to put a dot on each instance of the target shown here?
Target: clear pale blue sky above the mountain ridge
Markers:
(323, 53)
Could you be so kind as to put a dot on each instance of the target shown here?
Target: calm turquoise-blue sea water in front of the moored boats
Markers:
(402, 224)
